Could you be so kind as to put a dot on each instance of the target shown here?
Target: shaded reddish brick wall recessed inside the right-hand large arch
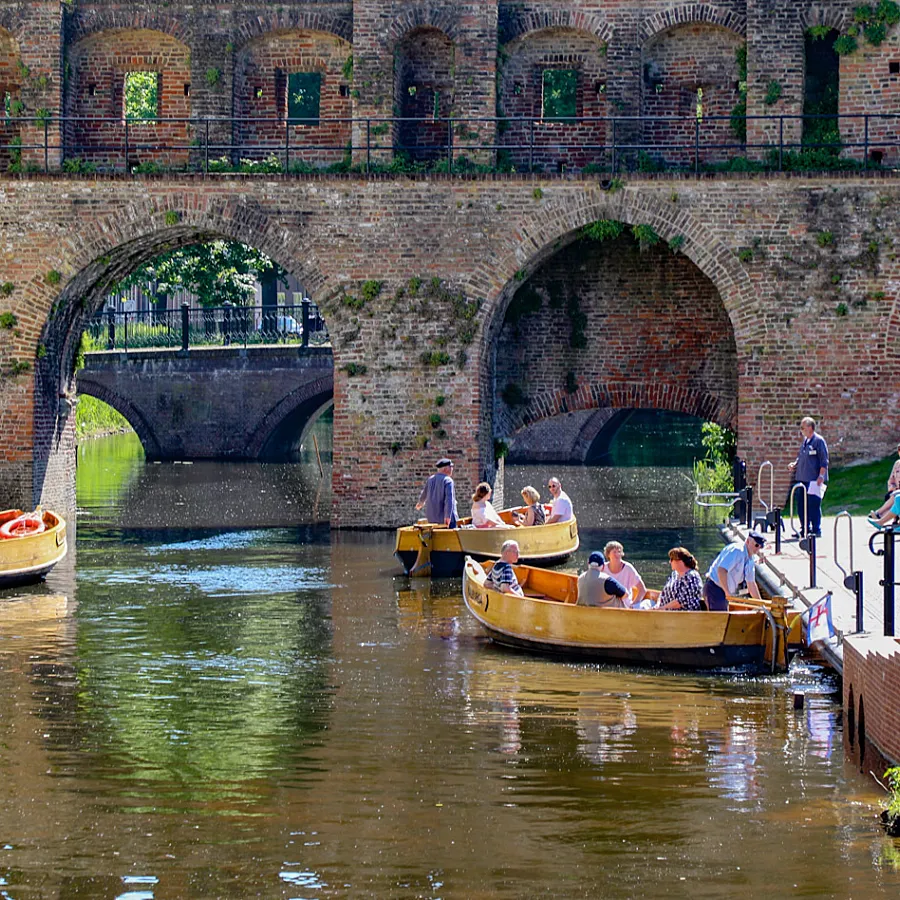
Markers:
(648, 321)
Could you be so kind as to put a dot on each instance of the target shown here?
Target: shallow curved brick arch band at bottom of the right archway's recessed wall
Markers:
(628, 395)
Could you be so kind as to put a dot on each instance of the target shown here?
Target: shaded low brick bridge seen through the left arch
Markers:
(220, 403)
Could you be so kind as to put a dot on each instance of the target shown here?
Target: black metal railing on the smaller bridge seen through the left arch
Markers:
(219, 326)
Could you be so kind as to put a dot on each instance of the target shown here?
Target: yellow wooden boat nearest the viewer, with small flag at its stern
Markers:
(751, 634)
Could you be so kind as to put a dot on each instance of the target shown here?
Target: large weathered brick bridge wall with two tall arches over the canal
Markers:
(462, 309)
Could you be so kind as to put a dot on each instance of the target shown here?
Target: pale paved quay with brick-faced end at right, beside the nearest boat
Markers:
(867, 659)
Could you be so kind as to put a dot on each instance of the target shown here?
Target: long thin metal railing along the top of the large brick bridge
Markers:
(596, 144)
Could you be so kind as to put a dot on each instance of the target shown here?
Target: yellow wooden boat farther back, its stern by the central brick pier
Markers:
(425, 549)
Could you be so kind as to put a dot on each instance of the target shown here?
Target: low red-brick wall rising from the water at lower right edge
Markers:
(872, 694)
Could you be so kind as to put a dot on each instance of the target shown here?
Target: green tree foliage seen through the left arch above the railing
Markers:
(215, 272)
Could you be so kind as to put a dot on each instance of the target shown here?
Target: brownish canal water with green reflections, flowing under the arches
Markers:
(216, 698)
